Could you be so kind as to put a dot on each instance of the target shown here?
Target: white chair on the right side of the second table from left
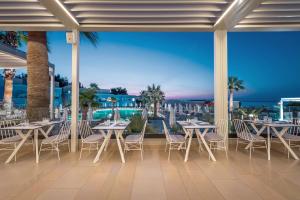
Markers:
(134, 142)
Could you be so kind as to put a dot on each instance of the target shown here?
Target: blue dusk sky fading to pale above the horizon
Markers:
(182, 63)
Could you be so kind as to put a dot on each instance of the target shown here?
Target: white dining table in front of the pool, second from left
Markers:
(107, 130)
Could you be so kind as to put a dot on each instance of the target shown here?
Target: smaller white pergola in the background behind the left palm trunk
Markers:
(11, 58)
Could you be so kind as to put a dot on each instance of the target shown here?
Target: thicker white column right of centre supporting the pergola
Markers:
(220, 76)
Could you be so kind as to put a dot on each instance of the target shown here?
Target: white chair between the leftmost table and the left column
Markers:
(52, 142)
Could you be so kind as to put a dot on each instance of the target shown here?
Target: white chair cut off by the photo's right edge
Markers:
(292, 136)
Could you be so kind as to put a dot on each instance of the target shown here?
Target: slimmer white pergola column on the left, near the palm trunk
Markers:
(75, 91)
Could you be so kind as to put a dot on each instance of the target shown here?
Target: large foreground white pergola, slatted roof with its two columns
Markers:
(218, 16)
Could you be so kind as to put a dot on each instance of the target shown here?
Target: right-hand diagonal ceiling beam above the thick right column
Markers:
(237, 11)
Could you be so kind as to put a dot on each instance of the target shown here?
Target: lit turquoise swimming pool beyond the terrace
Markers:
(125, 113)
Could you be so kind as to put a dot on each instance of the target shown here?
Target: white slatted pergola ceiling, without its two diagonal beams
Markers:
(147, 15)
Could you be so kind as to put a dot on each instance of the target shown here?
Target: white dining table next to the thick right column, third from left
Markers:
(201, 129)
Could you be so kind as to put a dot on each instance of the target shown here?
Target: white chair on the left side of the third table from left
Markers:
(175, 141)
